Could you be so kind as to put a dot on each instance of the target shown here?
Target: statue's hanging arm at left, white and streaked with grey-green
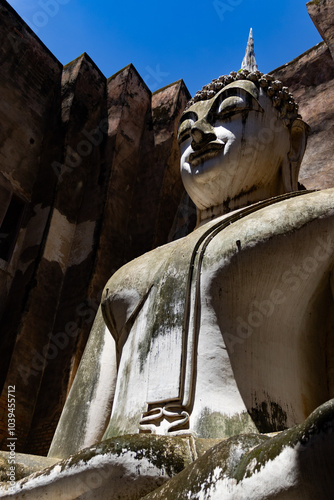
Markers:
(88, 407)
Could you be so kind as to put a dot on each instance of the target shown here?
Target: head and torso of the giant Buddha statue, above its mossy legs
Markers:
(228, 331)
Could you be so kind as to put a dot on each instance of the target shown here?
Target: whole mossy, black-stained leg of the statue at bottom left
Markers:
(127, 467)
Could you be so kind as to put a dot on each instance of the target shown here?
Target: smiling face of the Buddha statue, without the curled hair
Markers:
(232, 145)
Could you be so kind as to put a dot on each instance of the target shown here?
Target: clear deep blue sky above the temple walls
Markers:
(194, 40)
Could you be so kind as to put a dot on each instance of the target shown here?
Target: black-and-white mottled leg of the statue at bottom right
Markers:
(296, 465)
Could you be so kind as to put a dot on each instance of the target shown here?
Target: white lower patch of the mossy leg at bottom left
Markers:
(102, 477)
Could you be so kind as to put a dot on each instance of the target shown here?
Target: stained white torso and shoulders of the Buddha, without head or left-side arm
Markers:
(144, 310)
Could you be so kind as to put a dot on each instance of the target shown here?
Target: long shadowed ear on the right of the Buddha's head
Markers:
(298, 139)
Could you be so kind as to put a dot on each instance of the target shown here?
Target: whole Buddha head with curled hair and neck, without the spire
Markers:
(242, 141)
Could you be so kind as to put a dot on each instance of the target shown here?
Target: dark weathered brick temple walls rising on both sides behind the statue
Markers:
(96, 165)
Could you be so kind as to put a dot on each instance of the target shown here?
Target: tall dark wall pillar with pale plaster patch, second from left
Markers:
(71, 244)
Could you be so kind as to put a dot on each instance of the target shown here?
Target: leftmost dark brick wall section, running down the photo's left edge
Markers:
(29, 109)
